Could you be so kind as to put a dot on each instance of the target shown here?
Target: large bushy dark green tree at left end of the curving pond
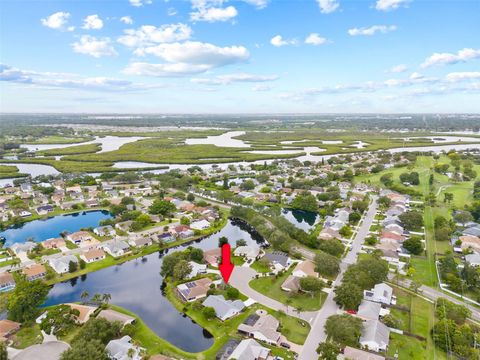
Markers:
(25, 299)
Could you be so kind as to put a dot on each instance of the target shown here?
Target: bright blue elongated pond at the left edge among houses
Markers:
(51, 227)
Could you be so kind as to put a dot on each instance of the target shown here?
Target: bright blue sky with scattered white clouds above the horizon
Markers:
(245, 56)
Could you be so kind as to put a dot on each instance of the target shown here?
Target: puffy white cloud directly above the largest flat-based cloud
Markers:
(150, 35)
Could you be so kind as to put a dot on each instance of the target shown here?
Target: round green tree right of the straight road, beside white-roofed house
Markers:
(344, 329)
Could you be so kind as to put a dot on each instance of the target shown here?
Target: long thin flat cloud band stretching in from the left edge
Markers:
(68, 81)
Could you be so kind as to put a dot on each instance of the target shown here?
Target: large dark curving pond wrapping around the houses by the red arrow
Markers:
(137, 286)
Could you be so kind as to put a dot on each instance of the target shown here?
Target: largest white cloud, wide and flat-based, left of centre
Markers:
(187, 58)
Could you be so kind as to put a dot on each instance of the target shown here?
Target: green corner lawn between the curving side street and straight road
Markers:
(271, 287)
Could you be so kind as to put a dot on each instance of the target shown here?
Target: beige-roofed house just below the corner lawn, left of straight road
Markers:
(261, 326)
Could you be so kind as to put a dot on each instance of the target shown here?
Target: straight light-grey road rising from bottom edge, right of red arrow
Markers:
(329, 308)
